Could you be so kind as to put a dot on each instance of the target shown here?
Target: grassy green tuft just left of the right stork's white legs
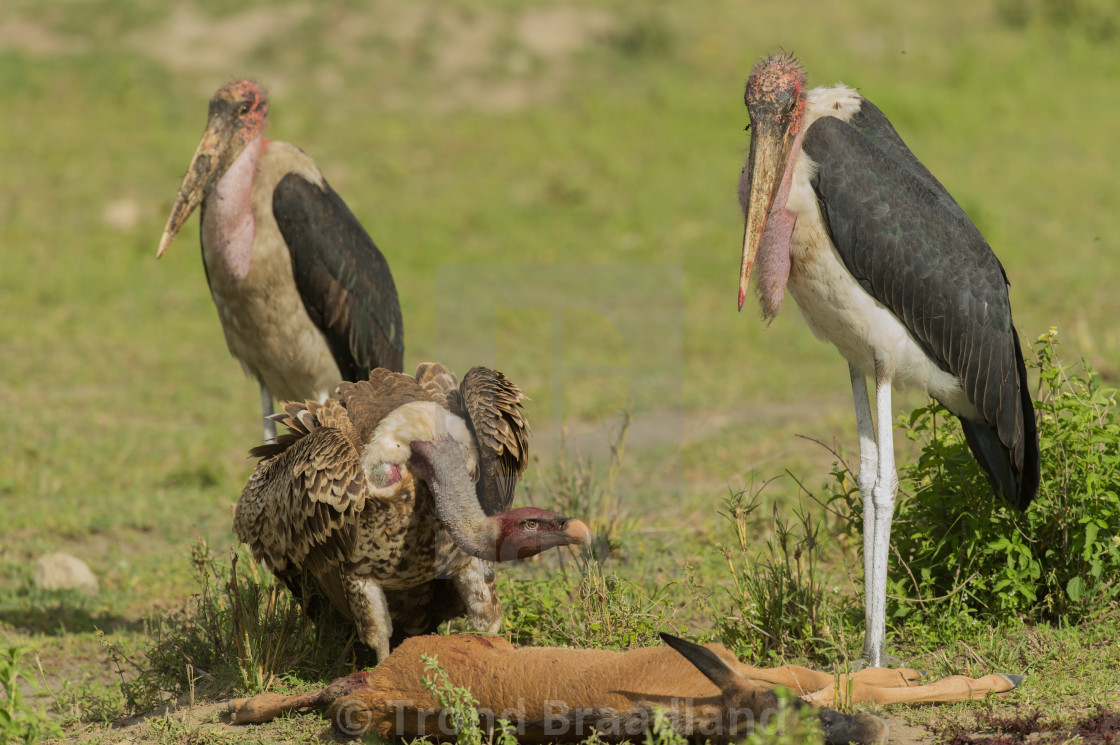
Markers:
(780, 608)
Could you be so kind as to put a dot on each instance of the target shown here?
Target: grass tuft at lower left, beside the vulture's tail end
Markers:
(244, 635)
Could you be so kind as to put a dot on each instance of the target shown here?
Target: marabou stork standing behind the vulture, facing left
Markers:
(305, 297)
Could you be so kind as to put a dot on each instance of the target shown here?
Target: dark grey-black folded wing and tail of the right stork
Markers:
(913, 249)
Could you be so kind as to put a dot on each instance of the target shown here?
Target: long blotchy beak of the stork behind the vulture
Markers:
(220, 147)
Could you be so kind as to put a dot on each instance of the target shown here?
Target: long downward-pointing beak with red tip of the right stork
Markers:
(771, 144)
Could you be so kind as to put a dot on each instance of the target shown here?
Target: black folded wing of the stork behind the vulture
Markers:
(343, 278)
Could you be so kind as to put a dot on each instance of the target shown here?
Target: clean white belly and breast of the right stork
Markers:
(843, 313)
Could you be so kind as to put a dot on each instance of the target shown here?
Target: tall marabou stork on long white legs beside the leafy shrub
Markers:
(889, 268)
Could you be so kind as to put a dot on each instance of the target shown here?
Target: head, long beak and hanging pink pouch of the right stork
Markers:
(776, 99)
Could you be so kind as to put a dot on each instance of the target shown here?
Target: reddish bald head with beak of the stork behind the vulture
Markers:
(239, 114)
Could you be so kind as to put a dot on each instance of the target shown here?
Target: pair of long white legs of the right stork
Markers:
(883, 501)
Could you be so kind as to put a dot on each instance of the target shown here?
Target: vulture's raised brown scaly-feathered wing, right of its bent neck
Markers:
(491, 404)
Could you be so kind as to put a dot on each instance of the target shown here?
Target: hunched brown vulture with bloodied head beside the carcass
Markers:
(394, 500)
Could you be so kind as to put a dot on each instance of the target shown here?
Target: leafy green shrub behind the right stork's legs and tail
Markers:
(962, 553)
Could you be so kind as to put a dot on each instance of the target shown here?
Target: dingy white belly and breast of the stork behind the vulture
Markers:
(266, 324)
